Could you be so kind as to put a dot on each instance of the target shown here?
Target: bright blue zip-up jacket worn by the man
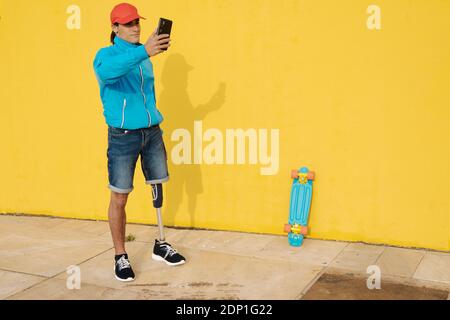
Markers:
(125, 76)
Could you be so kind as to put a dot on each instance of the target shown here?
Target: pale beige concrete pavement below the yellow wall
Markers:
(35, 253)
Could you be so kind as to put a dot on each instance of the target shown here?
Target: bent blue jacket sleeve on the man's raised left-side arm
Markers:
(110, 68)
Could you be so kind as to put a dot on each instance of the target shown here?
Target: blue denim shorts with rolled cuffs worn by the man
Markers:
(124, 148)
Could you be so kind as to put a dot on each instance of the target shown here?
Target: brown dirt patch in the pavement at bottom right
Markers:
(354, 287)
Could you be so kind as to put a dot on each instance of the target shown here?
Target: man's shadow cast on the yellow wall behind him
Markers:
(178, 112)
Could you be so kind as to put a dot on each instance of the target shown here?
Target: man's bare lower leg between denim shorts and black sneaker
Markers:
(117, 220)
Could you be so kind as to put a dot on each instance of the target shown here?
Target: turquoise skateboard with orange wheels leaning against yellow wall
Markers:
(300, 204)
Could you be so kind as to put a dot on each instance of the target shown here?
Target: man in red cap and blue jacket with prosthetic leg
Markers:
(125, 76)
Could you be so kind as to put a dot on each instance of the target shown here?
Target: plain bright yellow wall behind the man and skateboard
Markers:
(368, 110)
